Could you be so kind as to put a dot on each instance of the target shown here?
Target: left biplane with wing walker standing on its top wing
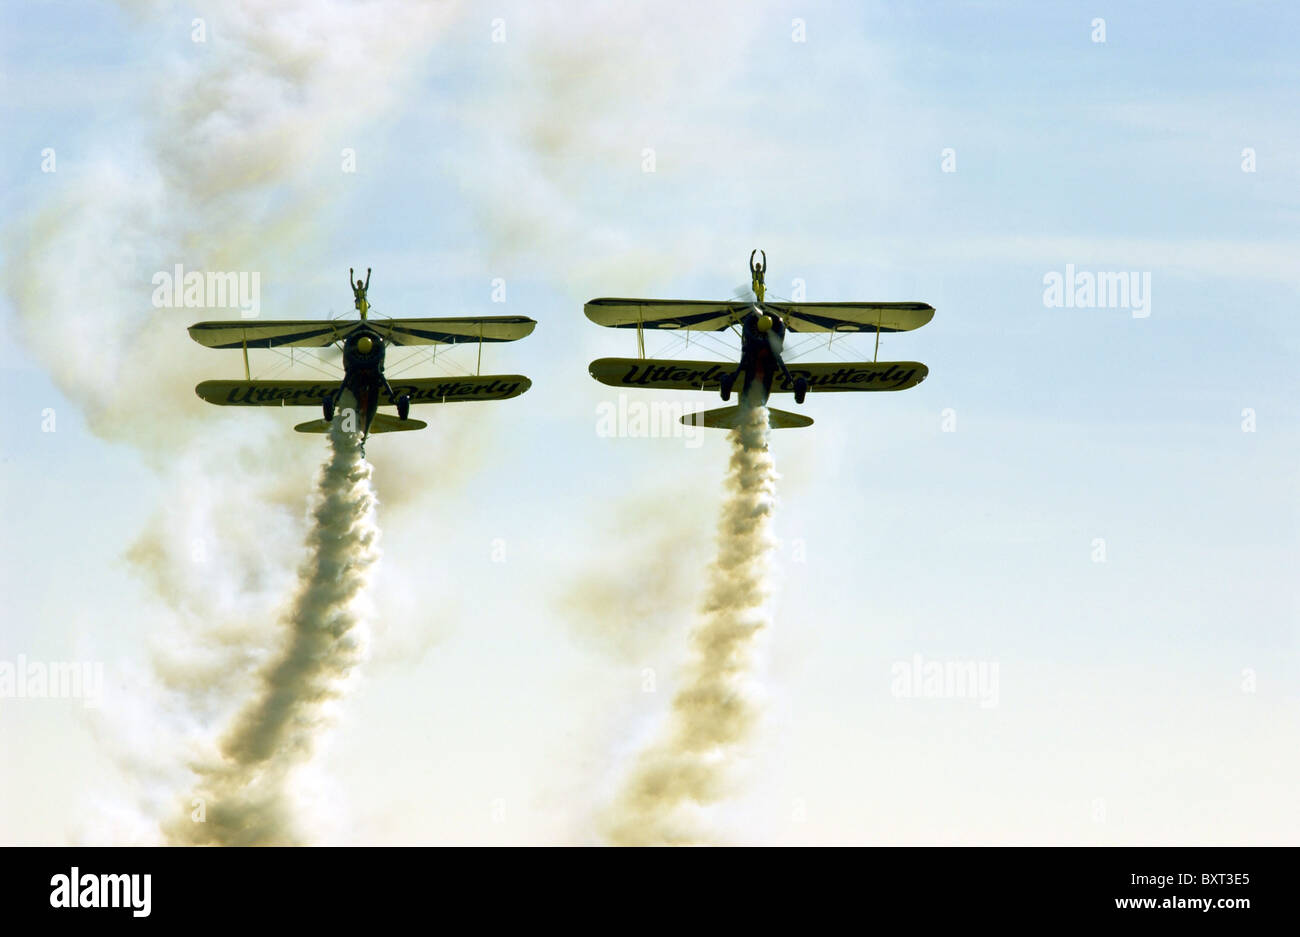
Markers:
(365, 387)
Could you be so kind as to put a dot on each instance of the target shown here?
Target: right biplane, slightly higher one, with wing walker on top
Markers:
(762, 370)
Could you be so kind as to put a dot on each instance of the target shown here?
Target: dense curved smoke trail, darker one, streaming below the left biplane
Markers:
(245, 791)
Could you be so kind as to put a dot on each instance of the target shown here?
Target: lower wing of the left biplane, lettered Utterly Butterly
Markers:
(314, 393)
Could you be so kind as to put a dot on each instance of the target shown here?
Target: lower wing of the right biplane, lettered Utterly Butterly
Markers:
(671, 375)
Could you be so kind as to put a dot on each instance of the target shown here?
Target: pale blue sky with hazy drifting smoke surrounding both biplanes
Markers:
(1095, 509)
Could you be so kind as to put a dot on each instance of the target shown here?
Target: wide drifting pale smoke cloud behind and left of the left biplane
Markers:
(226, 162)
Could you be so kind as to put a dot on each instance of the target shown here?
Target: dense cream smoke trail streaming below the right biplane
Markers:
(712, 714)
